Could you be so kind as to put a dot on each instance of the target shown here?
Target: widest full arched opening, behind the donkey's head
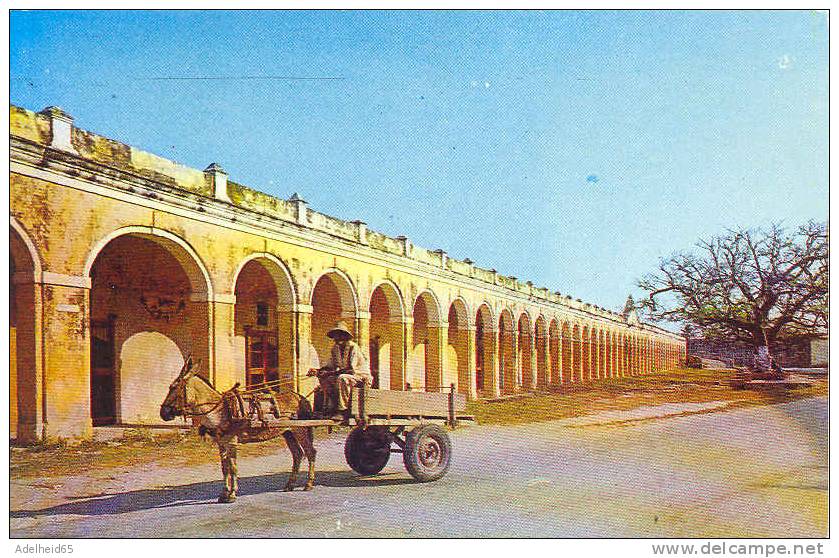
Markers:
(148, 309)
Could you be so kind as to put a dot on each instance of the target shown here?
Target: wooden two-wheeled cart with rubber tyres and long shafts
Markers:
(383, 422)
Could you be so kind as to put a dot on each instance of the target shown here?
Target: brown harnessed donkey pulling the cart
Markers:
(191, 396)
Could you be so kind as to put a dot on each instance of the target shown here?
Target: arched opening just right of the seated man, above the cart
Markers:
(387, 334)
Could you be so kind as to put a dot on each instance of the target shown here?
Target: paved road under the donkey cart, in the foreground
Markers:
(760, 471)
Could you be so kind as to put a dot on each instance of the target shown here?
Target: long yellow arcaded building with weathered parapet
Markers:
(123, 262)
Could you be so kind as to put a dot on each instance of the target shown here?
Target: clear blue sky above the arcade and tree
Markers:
(573, 149)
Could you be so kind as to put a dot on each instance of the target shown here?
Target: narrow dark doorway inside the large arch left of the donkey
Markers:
(102, 373)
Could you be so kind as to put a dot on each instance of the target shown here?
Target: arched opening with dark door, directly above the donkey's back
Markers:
(263, 331)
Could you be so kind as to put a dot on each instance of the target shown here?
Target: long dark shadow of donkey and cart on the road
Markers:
(200, 493)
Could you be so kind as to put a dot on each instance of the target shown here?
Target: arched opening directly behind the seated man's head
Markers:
(333, 300)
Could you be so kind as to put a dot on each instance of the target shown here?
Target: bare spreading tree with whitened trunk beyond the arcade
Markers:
(758, 286)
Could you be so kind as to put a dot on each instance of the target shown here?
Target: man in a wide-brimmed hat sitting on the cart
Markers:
(346, 368)
